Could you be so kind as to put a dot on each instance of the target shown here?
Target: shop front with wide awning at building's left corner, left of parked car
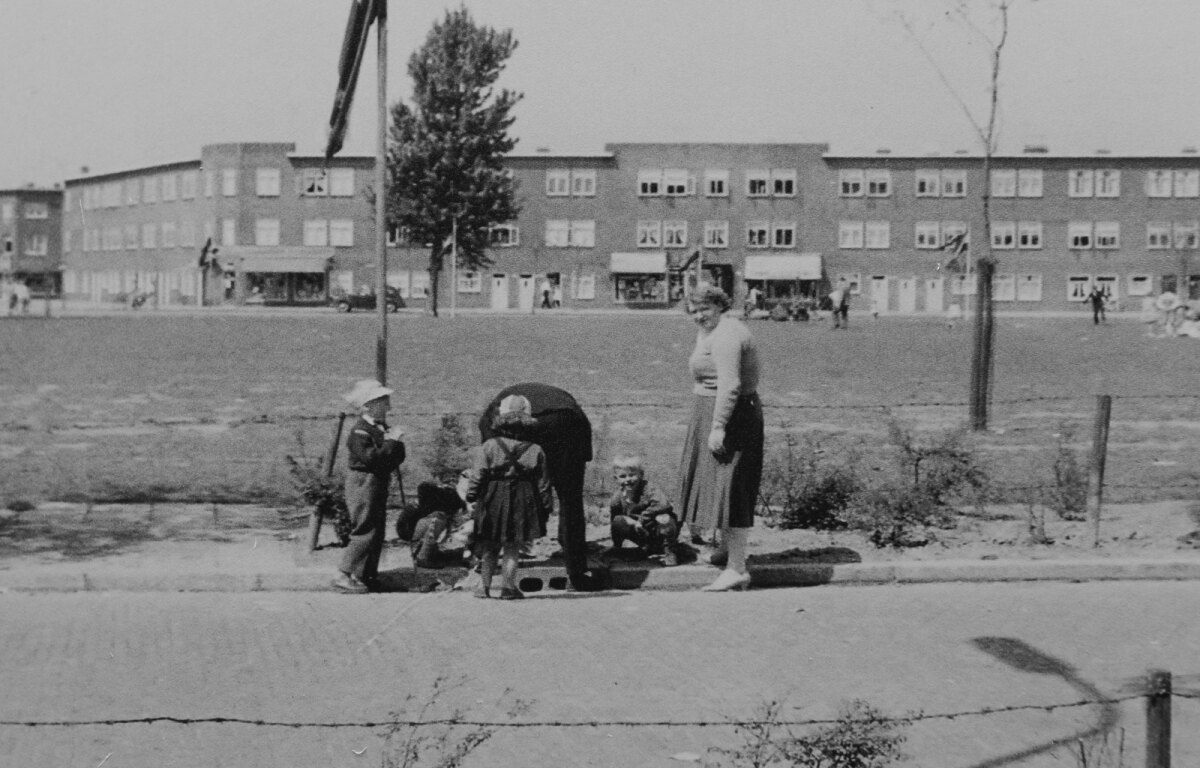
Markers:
(279, 277)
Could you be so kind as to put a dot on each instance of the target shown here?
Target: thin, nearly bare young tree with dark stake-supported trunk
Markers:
(987, 22)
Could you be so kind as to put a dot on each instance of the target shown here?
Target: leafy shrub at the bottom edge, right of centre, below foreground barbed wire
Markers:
(862, 737)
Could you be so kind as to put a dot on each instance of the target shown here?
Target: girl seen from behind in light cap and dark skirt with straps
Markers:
(512, 488)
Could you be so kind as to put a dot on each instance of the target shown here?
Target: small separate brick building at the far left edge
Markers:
(31, 237)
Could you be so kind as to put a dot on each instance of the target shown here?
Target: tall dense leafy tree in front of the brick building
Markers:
(447, 149)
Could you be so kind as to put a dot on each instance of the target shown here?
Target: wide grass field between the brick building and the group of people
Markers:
(205, 409)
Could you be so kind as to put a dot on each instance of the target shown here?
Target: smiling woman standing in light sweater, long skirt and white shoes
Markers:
(722, 463)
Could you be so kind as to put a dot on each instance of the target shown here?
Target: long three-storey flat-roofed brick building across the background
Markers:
(633, 226)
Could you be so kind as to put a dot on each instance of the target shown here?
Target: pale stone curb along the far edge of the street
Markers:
(542, 579)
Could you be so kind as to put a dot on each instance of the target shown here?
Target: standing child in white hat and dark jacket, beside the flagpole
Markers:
(375, 451)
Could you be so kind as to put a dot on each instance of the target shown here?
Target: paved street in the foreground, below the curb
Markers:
(569, 658)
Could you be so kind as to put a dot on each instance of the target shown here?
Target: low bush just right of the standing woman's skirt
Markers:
(802, 489)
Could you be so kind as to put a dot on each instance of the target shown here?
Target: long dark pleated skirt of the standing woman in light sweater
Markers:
(722, 491)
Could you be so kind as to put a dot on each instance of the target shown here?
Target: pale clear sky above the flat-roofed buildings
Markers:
(121, 85)
